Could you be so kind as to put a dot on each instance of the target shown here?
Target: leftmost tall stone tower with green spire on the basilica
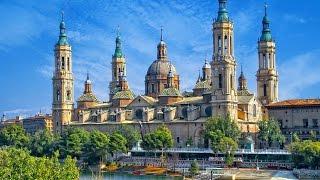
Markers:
(62, 81)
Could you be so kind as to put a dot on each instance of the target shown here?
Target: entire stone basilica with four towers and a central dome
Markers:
(217, 91)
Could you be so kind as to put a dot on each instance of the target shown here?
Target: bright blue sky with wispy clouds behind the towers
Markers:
(29, 31)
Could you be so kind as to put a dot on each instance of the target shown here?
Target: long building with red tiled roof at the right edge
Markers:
(300, 116)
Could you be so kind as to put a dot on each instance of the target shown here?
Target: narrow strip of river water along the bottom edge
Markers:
(125, 176)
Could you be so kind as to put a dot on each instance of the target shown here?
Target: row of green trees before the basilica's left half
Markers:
(75, 142)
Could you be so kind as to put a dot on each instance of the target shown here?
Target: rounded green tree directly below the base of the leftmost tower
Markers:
(72, 142)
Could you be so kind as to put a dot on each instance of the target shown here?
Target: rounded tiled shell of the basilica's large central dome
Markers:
(160, 67)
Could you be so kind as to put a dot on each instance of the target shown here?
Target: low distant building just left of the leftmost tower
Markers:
(38, 122)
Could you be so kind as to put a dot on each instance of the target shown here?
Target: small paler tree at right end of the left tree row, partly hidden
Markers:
(131, 134)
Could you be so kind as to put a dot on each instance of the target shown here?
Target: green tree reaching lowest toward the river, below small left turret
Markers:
(96, 147)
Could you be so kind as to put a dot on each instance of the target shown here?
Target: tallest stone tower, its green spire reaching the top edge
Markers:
(224, 93)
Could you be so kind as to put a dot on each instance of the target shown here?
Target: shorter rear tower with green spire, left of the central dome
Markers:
(118, 65)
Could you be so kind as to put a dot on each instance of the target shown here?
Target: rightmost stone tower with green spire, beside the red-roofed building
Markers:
(267, 75)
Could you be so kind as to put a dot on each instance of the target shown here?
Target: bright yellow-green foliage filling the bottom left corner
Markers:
(19, 164)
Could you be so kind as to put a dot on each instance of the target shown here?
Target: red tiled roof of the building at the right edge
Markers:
(296, 103)
